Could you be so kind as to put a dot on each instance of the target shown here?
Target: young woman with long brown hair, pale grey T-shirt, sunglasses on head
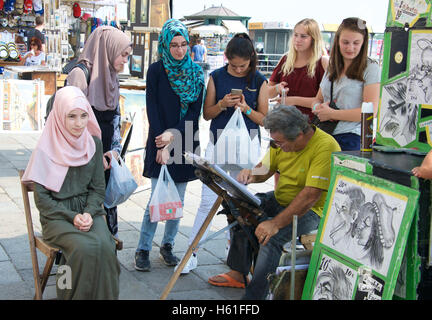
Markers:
(355, 78)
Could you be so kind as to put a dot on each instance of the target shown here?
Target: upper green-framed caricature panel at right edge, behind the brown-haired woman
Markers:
(405, 109)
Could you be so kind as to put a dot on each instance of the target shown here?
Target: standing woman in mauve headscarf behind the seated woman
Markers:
(105, 53)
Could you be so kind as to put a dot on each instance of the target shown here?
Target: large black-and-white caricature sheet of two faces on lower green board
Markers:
(363, 224)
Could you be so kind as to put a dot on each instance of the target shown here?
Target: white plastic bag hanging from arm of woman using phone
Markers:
(234, 148)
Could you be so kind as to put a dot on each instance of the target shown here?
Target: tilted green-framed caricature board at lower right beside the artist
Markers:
(361, 238)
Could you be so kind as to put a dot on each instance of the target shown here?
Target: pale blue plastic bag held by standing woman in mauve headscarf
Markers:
(121, 184)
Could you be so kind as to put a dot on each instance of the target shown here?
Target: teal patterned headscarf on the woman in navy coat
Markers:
(185, 76)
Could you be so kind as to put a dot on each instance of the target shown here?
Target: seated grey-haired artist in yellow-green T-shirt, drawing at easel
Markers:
(302, 155)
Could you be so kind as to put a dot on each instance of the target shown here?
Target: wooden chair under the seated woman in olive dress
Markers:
(36, 242)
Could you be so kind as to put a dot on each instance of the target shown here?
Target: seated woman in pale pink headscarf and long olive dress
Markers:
(67, 169)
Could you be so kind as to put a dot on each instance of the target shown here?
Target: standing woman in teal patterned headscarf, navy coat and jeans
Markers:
(174, 96)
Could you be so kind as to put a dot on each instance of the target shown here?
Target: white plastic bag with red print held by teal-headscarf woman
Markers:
(165, 203)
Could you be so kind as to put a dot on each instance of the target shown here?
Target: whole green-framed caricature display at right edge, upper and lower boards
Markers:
(373, 242)
